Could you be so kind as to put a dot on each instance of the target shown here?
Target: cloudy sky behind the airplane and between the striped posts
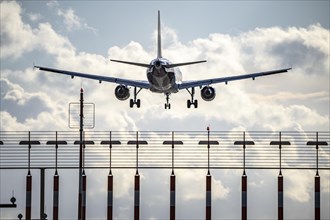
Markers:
(234, 37)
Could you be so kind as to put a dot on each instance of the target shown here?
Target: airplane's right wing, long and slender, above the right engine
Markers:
(207, 82)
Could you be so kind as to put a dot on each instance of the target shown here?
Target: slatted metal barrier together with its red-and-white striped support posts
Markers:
(161, 150)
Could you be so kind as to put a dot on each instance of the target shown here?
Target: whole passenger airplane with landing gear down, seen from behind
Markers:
(164, 77)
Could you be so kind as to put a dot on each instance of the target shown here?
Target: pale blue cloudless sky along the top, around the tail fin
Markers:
(119, 22)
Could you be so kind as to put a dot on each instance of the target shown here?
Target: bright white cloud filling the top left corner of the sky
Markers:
(18, 38)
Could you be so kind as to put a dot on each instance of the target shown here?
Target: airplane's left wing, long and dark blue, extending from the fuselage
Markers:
(127, 82)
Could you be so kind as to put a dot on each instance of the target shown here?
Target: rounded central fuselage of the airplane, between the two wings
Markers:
(163, 79)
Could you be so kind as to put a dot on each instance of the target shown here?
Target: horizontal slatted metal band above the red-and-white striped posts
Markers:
(165, 150)
